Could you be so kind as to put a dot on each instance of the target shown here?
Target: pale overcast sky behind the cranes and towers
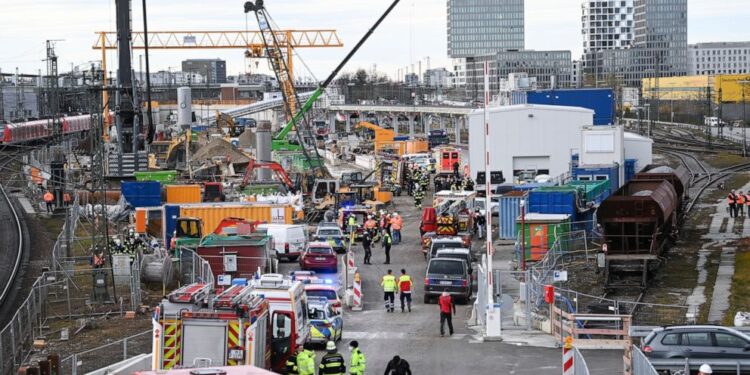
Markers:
(414, 31)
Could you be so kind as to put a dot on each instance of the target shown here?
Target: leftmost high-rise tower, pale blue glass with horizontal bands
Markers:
(481, 27)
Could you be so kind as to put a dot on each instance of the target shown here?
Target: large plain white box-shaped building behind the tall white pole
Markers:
(527, 137)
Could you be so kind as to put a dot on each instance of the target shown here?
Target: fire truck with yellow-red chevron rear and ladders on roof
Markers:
(195, 326)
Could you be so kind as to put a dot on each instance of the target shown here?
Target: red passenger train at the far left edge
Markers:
(28, 131)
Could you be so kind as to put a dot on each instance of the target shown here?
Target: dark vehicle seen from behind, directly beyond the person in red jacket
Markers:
(447, 275)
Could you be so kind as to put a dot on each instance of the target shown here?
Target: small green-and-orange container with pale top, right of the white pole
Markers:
(540, 231)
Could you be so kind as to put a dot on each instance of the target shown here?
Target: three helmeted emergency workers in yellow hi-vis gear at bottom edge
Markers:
(303, 361)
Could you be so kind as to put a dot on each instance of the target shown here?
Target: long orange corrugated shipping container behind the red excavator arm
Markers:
(213, 214)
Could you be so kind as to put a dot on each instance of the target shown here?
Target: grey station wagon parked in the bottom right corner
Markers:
(697, 342)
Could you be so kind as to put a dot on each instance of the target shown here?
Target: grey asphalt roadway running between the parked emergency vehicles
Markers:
(416, 337)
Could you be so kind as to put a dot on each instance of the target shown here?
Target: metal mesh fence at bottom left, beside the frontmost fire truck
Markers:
(105, 355)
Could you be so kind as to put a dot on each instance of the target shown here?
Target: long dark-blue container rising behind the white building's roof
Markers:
(601, 101)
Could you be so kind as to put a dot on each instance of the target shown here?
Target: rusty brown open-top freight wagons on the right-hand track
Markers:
(639, 223)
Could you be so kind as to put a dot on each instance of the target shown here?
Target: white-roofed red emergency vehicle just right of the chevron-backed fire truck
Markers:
(288, 310)
